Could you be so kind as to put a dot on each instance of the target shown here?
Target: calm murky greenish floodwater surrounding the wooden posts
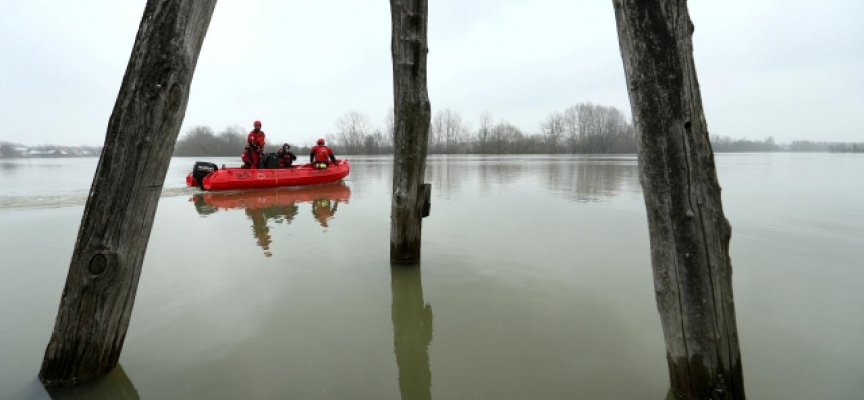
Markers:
(535, 283)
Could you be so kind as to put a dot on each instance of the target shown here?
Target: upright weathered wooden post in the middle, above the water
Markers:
(411, 130)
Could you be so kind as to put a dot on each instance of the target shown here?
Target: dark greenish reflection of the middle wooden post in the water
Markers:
(412, 332)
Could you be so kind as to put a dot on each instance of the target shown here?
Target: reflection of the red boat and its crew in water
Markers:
(280, 205)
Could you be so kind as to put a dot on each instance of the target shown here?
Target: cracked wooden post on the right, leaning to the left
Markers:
(689, 232)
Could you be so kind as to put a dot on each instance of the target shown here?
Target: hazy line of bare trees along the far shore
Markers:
(584, 128)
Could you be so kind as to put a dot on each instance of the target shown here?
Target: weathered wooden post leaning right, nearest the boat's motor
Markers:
(103, 275)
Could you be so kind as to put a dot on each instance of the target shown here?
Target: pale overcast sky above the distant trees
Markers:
(791, 69)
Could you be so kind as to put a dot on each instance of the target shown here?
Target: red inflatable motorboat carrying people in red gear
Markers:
(208, 177)
